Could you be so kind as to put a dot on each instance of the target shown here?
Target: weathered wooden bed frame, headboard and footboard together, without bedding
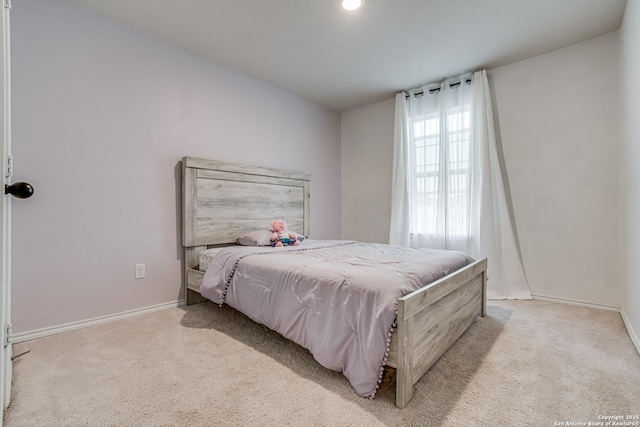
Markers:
(221, 201)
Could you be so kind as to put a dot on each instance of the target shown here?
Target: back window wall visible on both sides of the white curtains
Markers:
(557, 114)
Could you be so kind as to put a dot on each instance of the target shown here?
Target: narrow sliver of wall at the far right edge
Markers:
(630, 196)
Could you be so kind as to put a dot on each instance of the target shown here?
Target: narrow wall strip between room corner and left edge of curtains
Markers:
(366, 172)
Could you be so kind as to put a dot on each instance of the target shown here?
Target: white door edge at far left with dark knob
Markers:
(5, 213)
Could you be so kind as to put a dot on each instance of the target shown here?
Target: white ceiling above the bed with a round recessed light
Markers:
(345, 59)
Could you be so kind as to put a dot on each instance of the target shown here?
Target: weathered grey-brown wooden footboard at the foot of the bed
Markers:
(431, 319)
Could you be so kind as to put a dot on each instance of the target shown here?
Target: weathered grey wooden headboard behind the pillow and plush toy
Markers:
(221, 201)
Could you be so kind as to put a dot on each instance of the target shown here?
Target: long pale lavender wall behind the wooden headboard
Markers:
(102, 115)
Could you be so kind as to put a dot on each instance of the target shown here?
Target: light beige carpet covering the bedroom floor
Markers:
(527, 363)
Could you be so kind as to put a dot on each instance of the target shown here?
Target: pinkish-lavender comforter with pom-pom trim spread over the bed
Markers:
(335, 298)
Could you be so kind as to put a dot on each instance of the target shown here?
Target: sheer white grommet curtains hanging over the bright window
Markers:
(447, 183)
